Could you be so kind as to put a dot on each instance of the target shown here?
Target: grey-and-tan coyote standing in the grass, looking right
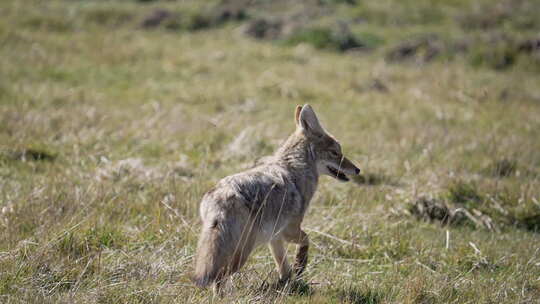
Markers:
(267, 203)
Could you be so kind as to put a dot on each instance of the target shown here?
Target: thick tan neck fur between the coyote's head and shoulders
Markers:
(298, 158)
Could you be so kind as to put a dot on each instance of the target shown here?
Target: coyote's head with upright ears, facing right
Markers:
(324, 147)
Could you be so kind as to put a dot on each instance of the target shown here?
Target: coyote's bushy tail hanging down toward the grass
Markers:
(214, 252)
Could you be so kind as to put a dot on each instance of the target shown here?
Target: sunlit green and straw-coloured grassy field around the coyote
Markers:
(112, 127)
